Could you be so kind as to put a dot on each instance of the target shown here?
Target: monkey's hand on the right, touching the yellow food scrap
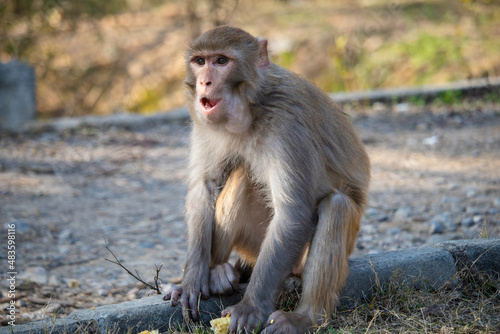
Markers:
(247, 316)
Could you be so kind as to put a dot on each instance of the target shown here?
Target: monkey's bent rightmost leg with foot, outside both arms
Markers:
(326, 267)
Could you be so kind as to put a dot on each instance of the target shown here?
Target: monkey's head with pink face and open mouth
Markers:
(224, 68)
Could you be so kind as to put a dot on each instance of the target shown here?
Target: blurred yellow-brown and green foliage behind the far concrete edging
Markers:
(95, 56)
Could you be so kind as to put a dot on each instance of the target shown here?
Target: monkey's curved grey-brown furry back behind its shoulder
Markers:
(331, 133)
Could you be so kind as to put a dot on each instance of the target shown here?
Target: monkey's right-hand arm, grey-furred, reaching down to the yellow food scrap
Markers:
(291, 180)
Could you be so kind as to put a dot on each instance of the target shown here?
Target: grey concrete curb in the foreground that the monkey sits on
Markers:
(424, 267)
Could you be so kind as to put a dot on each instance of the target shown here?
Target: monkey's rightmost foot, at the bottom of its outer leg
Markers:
(287, 322)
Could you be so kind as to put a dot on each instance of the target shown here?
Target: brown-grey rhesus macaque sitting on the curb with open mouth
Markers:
(277, 174)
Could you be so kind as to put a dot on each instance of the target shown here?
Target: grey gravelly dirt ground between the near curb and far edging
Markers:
(435, 177)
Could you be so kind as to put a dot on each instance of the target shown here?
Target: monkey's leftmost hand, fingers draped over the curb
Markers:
(188, 292)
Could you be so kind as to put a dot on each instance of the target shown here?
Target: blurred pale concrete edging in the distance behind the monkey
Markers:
(476, 87)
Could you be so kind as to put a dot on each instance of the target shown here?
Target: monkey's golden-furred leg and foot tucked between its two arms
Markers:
(238, 224)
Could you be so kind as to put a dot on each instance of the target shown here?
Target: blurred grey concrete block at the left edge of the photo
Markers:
(17, 95)
